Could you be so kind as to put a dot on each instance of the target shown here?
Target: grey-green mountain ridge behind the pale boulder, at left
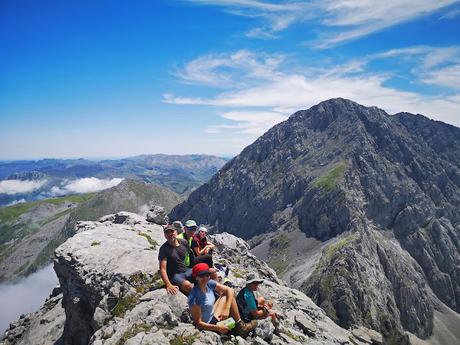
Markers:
(30, 232)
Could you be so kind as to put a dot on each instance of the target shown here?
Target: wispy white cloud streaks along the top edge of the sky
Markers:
(337, 20)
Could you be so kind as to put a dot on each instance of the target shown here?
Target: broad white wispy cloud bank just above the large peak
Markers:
(263, 99)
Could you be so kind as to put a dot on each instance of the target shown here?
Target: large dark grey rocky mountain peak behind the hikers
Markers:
(357, 208)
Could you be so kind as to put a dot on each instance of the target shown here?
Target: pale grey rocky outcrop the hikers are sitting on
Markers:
(110, 293)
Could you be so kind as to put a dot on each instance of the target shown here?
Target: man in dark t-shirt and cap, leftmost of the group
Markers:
(173, 270)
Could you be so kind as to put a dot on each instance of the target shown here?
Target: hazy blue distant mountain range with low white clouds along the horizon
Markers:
(29, 180)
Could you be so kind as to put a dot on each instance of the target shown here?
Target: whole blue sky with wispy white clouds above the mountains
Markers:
(120, 78)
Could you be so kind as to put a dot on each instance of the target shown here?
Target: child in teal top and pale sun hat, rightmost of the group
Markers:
(251, 307)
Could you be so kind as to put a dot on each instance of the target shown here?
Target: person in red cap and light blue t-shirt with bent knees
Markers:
(207, 310)
